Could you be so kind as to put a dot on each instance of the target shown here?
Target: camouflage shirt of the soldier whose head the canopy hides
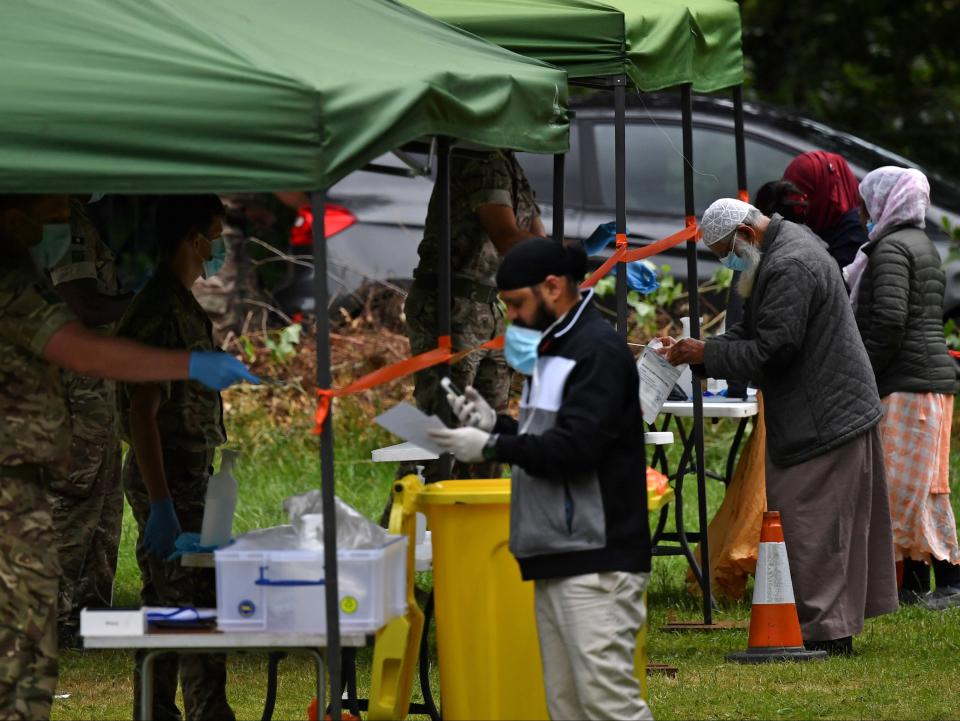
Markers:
(497, 180)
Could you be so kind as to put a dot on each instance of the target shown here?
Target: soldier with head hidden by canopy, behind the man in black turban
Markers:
(492, 208)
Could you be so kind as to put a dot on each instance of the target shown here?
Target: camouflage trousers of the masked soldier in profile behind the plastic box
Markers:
(168, 583)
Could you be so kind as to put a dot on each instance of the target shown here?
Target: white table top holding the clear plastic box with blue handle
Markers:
(213, 639)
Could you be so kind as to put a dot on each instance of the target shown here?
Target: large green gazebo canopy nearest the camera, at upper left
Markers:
(146, 96)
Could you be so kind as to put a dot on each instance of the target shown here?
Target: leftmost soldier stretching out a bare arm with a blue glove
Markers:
(38, 334)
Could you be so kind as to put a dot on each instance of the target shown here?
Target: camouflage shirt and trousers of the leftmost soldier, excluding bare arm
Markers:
(34, 436)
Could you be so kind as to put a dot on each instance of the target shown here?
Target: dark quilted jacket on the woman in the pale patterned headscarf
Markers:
(899, 309)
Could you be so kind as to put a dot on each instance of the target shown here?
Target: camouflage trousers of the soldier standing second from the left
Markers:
(87, 515)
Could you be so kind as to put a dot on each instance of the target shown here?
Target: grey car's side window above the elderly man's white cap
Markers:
(655, 166)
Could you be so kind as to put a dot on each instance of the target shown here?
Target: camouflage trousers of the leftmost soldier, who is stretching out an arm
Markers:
(29, 574)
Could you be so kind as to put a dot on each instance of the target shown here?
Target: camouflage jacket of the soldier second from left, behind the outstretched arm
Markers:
(92, 402)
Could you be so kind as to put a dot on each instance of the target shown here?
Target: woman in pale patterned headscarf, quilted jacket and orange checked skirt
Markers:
(897, 289)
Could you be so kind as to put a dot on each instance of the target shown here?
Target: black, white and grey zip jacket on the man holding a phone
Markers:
(579, 470)
